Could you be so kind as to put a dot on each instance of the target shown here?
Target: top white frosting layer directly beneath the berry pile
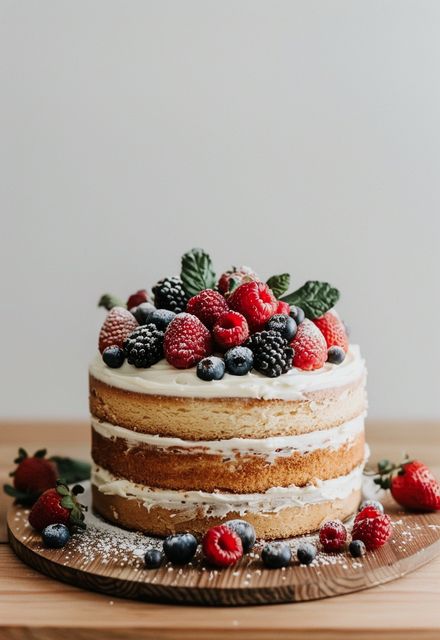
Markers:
(163, 379)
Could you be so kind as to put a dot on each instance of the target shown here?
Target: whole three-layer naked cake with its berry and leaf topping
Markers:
(186, 447)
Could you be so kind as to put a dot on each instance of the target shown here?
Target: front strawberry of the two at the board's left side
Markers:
(58, 506)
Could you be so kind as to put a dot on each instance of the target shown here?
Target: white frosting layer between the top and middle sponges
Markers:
(270, 448)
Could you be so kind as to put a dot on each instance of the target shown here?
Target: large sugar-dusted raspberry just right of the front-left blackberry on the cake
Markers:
(186, 341)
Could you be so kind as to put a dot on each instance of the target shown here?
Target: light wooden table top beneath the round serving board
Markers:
(34, 606)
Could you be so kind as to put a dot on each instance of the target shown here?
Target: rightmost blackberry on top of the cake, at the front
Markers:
(272, 354)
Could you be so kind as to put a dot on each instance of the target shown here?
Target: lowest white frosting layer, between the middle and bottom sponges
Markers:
(189, 504)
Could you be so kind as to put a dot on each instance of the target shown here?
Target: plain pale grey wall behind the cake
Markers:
(300, 136)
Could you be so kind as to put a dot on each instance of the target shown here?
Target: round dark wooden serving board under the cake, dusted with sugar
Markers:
(110, 560)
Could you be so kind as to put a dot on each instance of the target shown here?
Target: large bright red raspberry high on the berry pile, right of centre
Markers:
(256, 302)
